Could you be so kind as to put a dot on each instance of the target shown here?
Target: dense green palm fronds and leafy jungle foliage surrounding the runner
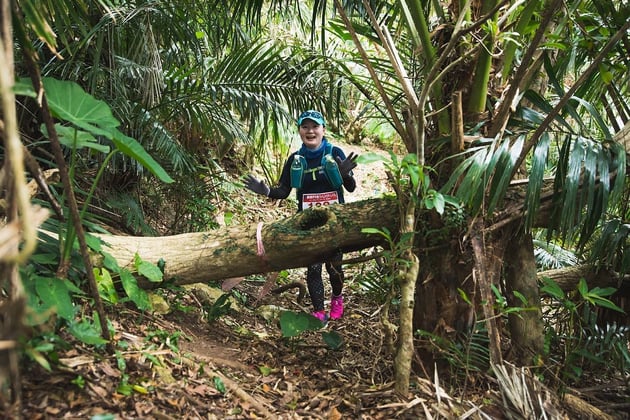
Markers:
(159, 106)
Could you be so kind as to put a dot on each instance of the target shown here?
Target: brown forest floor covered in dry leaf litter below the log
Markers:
(200, 362)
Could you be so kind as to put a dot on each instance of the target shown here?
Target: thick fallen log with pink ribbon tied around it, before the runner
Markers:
(297, 241)
